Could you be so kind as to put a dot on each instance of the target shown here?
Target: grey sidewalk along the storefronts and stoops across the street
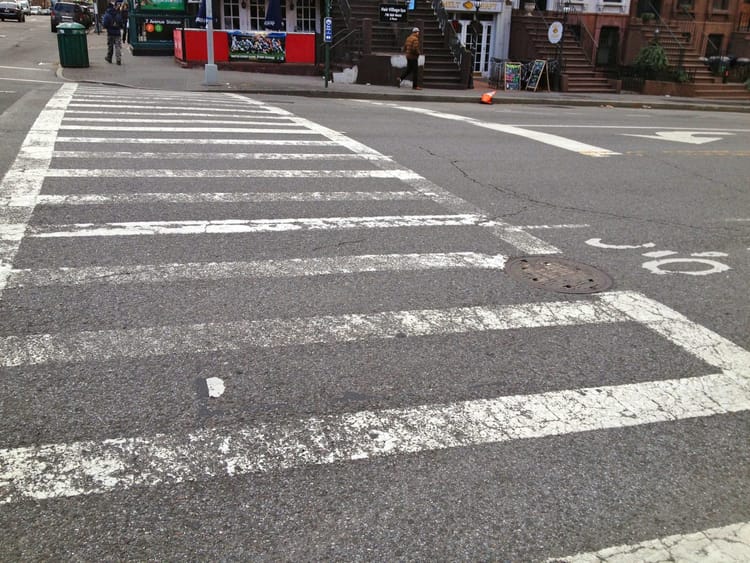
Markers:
(164, 73)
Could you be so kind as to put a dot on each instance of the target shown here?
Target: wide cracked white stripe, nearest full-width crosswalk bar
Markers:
(80, 468)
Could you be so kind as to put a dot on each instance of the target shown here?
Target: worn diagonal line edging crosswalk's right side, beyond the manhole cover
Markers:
(515, 236)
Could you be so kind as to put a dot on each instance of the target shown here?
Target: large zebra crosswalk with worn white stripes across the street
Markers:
(154, 196)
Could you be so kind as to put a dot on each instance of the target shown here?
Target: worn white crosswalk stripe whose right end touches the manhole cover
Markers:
(294, 267)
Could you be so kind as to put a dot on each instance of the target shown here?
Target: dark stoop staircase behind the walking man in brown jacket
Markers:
(440, 69)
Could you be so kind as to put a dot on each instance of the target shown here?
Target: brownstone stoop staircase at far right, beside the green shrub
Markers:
(705, 84)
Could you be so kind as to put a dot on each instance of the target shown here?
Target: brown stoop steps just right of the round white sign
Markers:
(581, 74)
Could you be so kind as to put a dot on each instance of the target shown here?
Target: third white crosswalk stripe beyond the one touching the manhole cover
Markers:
(231, 173)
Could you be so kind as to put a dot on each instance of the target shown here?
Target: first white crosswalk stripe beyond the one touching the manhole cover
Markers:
(250, 225)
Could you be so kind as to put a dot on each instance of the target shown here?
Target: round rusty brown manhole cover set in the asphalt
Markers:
(558, 274)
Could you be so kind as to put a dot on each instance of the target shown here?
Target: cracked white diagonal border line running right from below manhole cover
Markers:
(703, 343)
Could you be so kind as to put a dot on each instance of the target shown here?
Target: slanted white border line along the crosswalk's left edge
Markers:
(24, 179)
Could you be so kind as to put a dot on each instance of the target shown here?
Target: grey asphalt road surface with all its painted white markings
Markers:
(276, 328)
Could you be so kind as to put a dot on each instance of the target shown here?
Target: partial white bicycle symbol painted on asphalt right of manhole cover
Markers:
(669, 262)
